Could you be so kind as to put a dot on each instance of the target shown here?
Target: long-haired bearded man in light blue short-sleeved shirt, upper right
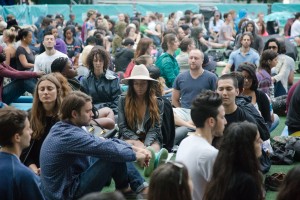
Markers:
(244, 54)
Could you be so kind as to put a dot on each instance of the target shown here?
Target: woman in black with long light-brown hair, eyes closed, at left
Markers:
(44, 114)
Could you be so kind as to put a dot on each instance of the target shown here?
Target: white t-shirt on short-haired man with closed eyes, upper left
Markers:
(43, 61)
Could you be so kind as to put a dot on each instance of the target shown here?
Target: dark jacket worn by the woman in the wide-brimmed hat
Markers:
(153, 133)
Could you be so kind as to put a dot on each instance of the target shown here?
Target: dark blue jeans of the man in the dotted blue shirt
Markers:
(100, 172)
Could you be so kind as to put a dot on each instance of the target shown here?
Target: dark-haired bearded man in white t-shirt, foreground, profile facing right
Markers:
(196, 151)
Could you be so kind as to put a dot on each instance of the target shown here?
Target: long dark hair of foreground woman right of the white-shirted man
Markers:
(236, 154)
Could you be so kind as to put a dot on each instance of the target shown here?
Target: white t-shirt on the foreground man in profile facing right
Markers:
(199, 157)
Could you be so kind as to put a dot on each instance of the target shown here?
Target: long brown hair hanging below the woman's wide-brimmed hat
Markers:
(131, 107)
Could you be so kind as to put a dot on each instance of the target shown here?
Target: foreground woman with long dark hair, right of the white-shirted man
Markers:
(236, 170)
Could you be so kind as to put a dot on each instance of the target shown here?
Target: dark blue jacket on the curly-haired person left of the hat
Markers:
(105, 91)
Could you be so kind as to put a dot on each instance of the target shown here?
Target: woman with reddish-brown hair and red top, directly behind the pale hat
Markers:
(144, 47)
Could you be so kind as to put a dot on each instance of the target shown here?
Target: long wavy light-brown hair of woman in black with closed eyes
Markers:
(38, 112)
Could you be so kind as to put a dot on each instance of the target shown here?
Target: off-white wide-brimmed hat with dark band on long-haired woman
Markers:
(139, 72)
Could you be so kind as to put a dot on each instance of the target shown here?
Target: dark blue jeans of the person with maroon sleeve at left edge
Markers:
(16, 88)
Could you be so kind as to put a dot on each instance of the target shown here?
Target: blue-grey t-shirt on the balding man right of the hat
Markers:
(189, 87)
